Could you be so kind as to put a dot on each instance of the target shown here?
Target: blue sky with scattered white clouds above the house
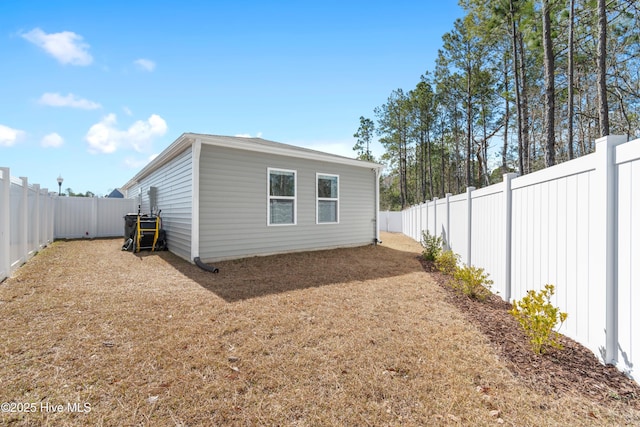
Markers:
(92, 90)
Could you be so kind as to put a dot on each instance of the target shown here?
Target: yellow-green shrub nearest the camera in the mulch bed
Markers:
(538, 317)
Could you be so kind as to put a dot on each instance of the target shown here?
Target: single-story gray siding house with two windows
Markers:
(228, 197)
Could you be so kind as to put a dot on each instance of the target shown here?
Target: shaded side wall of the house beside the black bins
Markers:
(174, 198)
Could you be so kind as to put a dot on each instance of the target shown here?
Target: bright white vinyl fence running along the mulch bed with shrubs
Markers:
(575, 225)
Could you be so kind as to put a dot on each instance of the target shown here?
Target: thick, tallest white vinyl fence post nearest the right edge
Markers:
(607, 176)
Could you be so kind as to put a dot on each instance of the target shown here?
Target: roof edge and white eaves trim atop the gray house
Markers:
(241, 143)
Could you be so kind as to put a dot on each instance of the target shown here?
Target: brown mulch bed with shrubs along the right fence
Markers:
(573, 369)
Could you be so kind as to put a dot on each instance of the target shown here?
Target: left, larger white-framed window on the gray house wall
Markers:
(281, 193)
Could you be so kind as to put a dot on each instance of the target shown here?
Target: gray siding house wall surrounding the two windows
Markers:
(233, 205)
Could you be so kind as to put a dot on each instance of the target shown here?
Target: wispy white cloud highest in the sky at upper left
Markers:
(67, 47)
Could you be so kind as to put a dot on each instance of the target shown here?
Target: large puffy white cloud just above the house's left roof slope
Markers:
(105, 137)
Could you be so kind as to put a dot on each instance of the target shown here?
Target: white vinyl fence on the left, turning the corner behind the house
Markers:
(31, 218)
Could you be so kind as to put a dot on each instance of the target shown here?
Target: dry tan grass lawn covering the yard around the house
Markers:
(356, 336)
